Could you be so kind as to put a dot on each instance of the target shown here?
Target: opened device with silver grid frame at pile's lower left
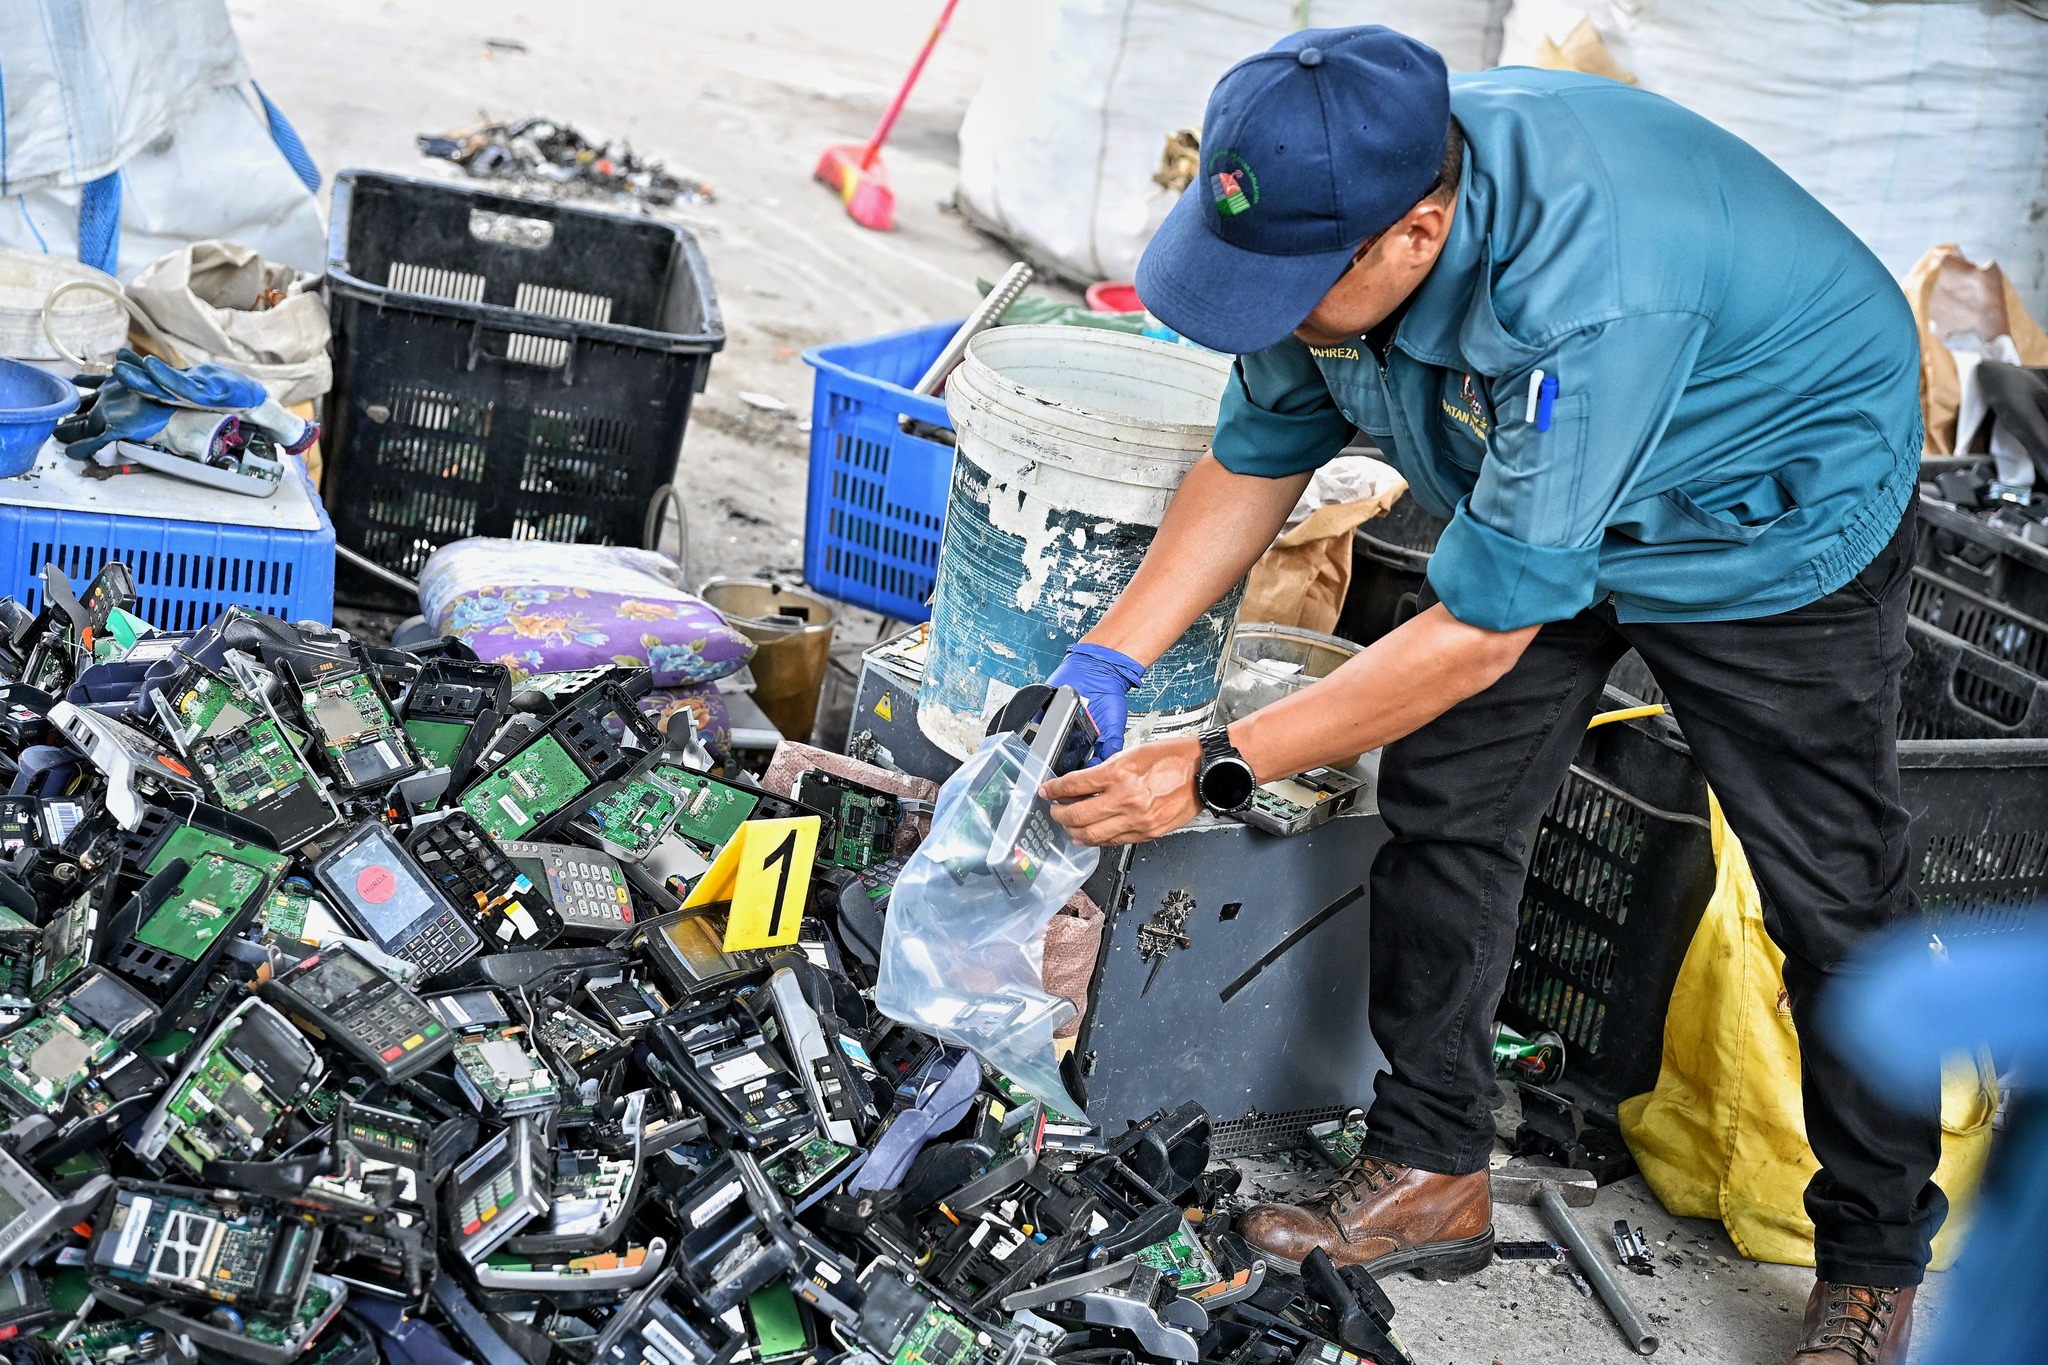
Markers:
(189, 1247)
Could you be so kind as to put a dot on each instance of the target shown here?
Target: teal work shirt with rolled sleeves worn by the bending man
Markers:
(1736, 429)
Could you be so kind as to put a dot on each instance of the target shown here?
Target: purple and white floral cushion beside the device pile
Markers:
(540, 607)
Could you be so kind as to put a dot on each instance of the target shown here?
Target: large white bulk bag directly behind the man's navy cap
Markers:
(1060, 146)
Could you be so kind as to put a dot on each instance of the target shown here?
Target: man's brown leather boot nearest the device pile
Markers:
(1385, 1219)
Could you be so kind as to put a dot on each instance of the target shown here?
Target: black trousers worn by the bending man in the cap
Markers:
(1793, 719)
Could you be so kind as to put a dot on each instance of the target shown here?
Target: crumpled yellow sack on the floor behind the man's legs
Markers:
(1723, 1135)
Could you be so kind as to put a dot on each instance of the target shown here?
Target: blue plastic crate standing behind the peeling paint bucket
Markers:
(878, 498)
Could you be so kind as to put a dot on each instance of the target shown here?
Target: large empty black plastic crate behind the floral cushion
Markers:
(505, 367)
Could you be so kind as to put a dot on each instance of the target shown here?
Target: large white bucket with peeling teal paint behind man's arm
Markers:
(1070, 449)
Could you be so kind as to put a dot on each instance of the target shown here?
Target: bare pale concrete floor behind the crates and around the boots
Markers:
(744, 97)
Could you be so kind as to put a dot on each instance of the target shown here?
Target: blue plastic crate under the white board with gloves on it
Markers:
(185, 572)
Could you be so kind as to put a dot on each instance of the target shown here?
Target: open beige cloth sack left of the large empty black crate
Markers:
(204, 300)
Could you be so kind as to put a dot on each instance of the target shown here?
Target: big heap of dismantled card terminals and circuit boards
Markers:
(355, 1008)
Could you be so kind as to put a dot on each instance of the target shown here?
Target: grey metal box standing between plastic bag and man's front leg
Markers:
(1263, 1016)
